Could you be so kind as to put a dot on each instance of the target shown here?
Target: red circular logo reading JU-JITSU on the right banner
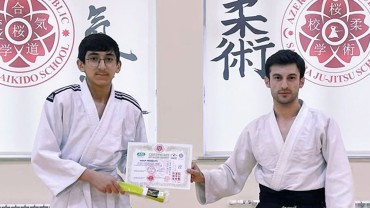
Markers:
(332, 36)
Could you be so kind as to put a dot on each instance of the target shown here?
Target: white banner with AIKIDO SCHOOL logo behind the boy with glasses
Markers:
(38, 51)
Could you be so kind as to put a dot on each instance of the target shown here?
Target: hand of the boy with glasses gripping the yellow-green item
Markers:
(103, 182)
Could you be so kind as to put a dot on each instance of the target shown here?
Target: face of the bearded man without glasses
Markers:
(284, 83)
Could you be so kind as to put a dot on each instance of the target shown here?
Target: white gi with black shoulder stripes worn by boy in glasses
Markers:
(71, 138)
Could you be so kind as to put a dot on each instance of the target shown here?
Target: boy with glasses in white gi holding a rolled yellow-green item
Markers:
(84, 132)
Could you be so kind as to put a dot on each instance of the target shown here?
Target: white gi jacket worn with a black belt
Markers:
(312, 157)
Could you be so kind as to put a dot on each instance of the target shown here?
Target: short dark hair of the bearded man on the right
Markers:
(285, 57)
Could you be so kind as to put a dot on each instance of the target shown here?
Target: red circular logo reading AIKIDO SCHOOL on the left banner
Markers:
(36, 39)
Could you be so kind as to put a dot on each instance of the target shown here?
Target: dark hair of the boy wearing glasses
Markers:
(97, 42)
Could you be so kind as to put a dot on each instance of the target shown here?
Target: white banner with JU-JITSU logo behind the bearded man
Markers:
(331, 35)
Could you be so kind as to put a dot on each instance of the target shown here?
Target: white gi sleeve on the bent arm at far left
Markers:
(55, 172)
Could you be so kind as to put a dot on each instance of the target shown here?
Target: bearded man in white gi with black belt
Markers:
(298, 154)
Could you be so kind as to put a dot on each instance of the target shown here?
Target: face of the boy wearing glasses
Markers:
(99, 67)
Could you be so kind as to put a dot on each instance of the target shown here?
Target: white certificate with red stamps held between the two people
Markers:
(159, 165)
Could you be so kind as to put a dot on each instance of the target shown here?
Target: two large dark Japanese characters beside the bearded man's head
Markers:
(234, 54)
